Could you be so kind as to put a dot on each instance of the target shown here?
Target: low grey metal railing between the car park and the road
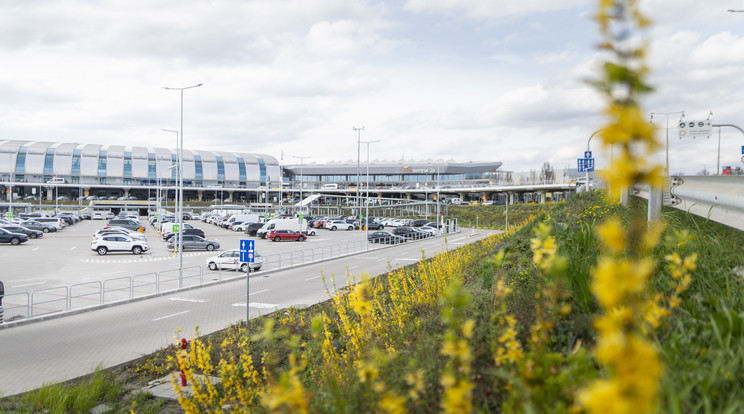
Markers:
(44, 302)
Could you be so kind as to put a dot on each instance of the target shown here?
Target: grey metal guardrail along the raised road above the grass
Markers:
(717, 197)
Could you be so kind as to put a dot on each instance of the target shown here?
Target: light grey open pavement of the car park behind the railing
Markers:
(64, 258)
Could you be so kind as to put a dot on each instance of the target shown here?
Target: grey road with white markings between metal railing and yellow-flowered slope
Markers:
(64, 348)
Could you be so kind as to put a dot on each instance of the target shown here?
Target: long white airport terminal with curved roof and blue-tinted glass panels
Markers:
(30, 169)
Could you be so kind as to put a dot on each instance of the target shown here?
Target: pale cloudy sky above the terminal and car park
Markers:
(468, 80)
